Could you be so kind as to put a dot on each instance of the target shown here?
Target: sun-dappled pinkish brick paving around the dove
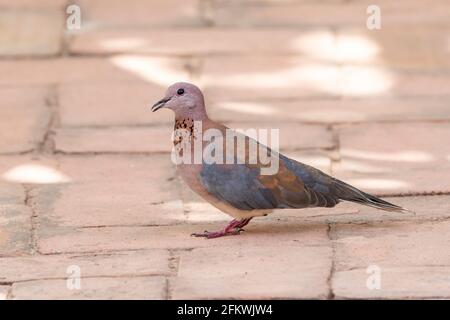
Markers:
(87, 186)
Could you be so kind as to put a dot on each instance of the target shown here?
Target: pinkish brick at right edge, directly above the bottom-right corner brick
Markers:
(392, 244)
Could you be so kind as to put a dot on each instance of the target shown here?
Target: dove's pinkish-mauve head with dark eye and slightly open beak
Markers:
(185, 99)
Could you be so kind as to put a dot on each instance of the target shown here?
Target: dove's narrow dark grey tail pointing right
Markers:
(349, 193)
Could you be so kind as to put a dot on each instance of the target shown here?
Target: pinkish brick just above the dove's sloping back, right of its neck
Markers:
(312, 136)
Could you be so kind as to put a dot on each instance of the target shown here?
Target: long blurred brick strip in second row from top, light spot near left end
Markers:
(189, 41)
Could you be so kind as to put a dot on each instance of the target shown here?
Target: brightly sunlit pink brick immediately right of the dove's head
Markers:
(268, 77)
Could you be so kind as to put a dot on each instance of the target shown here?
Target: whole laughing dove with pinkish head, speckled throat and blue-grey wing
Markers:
(240, 187)
